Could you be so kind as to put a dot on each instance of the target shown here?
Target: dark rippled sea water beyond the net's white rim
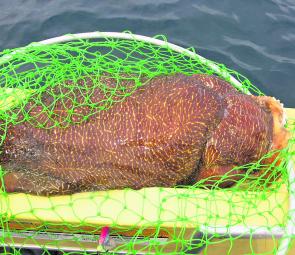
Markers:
(254, 37)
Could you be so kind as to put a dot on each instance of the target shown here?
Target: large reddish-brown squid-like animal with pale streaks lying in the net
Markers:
(174, 130)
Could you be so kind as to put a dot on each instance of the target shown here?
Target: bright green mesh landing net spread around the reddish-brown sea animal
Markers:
(181, 220)
